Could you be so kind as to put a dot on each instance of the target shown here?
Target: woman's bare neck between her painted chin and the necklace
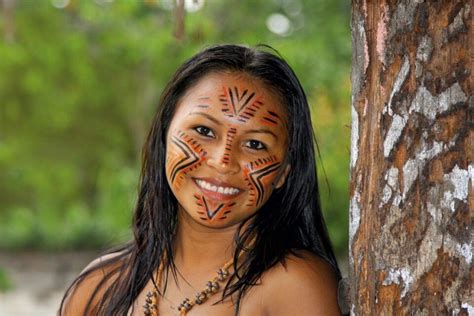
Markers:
(201, 247)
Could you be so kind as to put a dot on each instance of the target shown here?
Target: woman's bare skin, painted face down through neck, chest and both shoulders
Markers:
(229, 131)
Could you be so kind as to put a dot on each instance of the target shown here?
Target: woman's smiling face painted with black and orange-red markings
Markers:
(225, 149)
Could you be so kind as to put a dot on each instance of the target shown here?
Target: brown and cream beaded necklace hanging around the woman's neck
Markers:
(150, 308)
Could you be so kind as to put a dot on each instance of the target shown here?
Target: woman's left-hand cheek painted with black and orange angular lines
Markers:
(184, 155)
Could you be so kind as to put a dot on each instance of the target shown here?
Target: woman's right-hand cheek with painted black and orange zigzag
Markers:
(259, 175)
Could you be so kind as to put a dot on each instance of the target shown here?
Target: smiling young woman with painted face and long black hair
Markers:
(228, 219)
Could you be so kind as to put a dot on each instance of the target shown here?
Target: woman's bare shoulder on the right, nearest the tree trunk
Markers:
(304, 285)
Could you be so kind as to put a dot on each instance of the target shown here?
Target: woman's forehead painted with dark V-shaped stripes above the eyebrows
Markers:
(235, 98)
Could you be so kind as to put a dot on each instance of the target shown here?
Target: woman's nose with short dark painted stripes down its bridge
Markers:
(223, 158)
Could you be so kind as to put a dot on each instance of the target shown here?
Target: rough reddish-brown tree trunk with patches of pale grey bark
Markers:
(412, 171)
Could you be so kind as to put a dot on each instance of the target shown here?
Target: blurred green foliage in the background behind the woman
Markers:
(78, 91)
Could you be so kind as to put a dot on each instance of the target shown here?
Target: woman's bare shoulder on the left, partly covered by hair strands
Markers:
(80, 294)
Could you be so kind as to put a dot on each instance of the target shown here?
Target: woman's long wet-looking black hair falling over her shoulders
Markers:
(290, 220)
